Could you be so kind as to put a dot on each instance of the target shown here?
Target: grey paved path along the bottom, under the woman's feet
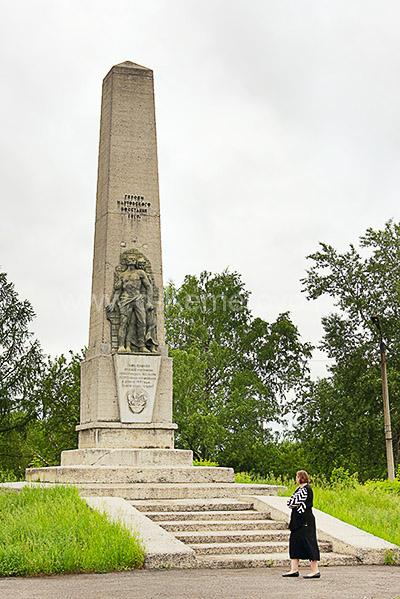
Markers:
(355, 582)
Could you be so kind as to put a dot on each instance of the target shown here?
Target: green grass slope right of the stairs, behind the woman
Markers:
(373, 507)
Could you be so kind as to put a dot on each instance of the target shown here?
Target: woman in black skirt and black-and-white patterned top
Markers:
(303, 537)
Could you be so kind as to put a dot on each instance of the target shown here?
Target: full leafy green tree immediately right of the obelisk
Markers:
(232, 371)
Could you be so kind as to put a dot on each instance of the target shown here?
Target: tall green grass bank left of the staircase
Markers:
(53, 531)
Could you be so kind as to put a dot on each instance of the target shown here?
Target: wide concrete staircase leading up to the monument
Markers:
(230, 533)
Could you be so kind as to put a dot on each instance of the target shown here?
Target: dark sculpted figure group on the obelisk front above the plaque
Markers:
(133, 299)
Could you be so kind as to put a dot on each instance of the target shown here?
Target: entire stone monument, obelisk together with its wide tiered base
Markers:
(126, 433)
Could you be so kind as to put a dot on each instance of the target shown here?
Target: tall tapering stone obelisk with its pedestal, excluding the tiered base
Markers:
(126, 398)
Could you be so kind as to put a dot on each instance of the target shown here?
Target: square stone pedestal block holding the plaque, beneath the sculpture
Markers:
(126, 402)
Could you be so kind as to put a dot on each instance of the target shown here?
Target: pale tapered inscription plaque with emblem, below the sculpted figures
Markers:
(137, 379)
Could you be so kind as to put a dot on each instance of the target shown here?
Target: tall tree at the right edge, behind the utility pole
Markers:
(340, 418)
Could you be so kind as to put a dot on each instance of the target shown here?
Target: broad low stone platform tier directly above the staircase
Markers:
(155, 491)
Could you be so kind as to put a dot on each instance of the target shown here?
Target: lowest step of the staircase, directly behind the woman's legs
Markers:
(258, 560)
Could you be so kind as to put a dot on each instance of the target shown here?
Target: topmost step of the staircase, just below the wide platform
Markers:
(207, 506)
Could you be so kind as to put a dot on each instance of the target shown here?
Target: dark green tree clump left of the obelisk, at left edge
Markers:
(39, 398)
